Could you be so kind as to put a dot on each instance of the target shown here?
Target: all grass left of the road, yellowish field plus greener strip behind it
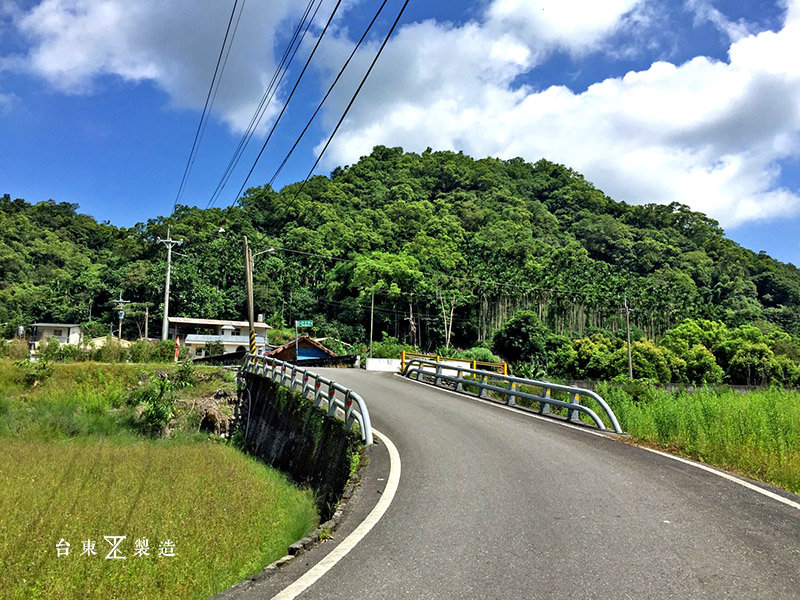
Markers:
(76, 468)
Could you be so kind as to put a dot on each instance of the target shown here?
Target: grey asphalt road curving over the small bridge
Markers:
(495, 504)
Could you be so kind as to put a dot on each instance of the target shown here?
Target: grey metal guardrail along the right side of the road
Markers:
(421, 368)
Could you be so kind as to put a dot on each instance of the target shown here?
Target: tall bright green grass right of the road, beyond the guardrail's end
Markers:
(757, 434)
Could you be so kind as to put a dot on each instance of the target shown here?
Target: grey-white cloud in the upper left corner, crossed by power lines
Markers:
(173, 44)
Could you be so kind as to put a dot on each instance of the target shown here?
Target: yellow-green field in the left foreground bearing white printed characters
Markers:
(227, 515)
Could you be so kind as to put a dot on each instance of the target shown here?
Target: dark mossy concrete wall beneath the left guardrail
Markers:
(287, 432)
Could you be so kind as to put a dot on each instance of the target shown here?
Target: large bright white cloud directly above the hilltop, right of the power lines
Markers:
(705, 133)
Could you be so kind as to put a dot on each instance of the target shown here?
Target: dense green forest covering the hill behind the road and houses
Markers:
(449, 248)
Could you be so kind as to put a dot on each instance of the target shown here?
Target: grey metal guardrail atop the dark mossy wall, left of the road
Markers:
(324, 392)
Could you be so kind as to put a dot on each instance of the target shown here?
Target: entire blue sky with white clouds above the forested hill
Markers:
(694, 101)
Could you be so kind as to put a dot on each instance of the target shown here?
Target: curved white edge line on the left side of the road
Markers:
(350, 542)
